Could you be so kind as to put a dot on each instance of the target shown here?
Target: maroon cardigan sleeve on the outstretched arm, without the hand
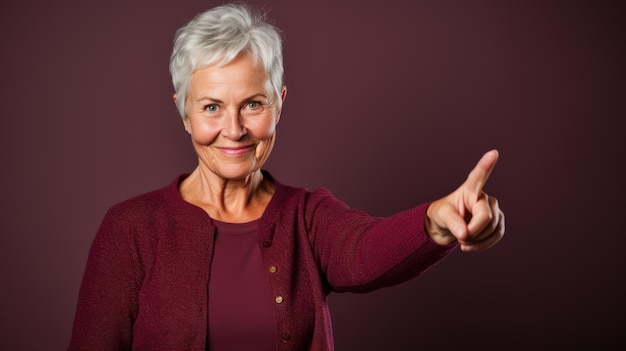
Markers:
(359, 253)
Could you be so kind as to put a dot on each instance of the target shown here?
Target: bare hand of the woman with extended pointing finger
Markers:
(468, 215)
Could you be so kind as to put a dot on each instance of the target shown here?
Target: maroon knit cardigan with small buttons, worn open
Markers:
(145, 283)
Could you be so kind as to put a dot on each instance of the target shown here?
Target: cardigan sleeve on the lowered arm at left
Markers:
(107, 302)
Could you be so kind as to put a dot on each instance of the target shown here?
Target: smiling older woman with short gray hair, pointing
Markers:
(229, 258)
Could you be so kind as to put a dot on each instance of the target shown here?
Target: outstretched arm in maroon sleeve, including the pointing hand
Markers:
(358, 252)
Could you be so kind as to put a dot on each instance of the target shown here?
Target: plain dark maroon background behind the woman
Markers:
(390, 104)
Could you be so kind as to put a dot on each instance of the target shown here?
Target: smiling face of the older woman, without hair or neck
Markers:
(229, 117)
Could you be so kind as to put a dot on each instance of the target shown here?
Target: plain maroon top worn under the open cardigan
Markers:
(241, 316)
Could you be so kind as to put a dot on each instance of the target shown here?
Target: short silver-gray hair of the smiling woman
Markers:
(218, 36)
